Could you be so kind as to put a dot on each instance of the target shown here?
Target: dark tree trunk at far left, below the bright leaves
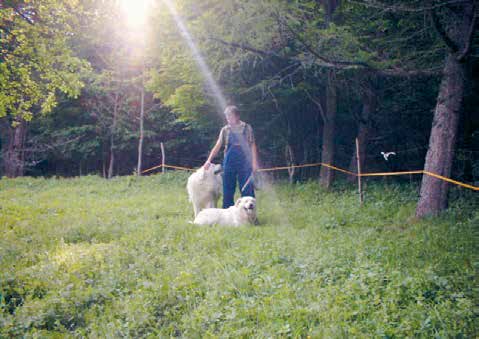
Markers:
(14, 155)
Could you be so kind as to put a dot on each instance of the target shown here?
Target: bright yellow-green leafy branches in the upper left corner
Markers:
(37, 61)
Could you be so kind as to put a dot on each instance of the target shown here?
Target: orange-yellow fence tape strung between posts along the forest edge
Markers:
(475, 188)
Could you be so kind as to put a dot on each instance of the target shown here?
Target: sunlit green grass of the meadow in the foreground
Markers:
(90, 257)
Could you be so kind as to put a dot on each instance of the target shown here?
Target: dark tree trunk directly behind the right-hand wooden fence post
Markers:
(364, 127)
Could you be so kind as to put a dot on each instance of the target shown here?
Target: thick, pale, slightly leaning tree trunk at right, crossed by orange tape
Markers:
(439, 157)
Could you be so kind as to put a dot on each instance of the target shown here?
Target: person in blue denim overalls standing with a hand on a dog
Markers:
(240, 156)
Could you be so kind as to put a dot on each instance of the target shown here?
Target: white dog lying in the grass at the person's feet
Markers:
(243, 212)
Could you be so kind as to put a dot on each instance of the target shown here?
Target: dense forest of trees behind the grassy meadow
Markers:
(84, 89)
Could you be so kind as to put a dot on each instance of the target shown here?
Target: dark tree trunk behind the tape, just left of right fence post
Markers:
(327, 153)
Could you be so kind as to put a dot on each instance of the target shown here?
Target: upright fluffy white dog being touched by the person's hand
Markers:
(204, 187)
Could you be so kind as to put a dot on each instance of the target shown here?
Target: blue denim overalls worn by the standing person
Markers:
(236, 164)
